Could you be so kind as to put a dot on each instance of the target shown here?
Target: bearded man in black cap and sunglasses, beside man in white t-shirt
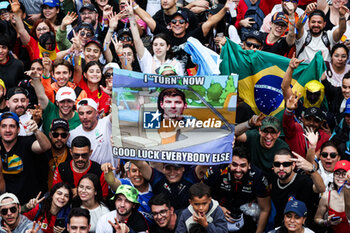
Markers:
(59, 152)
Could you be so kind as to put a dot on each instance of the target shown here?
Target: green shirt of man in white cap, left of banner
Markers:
(51, 112)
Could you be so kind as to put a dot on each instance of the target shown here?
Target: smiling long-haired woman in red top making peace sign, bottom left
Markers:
(54, 209)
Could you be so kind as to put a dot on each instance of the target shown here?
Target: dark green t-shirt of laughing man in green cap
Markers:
(260, 156)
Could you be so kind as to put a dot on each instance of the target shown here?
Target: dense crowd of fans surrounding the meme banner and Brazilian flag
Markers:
(58, 172)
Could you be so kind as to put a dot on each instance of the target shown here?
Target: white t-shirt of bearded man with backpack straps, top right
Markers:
(314, 46)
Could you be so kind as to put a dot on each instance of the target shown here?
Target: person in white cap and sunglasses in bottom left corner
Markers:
(11, 218)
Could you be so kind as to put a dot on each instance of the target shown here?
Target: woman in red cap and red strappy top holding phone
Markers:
(333, 202)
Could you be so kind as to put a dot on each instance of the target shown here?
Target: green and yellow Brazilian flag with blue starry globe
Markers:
(261, 73)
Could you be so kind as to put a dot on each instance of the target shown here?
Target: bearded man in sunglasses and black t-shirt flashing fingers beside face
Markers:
(289, 185)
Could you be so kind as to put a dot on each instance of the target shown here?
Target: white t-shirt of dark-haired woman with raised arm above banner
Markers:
(149, 64)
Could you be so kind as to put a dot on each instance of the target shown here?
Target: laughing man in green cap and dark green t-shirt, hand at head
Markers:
(262, 143)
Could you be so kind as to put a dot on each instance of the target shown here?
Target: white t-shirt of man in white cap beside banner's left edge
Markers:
(100, 138)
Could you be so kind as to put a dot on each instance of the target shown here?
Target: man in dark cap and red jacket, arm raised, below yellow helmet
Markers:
(312, 120)
